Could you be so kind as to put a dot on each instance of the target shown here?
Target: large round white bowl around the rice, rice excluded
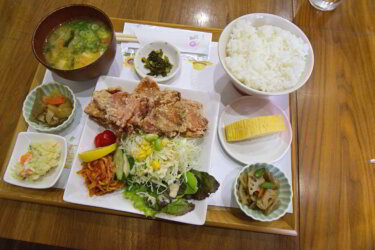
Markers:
(260, 19)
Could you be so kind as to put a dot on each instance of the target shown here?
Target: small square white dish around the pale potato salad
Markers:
(21, 147)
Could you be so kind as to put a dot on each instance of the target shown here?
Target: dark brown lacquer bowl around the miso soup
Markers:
(68, 13)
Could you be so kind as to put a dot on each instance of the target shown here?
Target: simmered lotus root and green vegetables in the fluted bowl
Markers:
(259, 190)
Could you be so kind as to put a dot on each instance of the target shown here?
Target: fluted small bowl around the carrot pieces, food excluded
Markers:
(47, 88)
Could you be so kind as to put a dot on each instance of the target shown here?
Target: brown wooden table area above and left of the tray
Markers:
(22, 16)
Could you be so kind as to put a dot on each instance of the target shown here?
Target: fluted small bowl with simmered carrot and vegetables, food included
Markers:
(50, 107)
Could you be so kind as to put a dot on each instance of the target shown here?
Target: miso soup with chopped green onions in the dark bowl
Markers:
(76, 43)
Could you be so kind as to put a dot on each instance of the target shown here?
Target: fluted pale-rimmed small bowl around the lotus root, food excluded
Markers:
(286, 193)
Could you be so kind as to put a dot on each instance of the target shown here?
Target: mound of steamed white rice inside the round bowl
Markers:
(265, 58)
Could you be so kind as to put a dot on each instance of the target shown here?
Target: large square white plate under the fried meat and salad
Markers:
(76, 190)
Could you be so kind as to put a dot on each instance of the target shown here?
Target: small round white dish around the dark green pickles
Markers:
(168, 49)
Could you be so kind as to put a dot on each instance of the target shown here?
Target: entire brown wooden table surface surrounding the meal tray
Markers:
(336, 131)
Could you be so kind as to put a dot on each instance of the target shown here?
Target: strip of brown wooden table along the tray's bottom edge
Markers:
(80, 229)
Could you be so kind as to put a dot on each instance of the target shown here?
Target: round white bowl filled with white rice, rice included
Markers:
(265, 54)
